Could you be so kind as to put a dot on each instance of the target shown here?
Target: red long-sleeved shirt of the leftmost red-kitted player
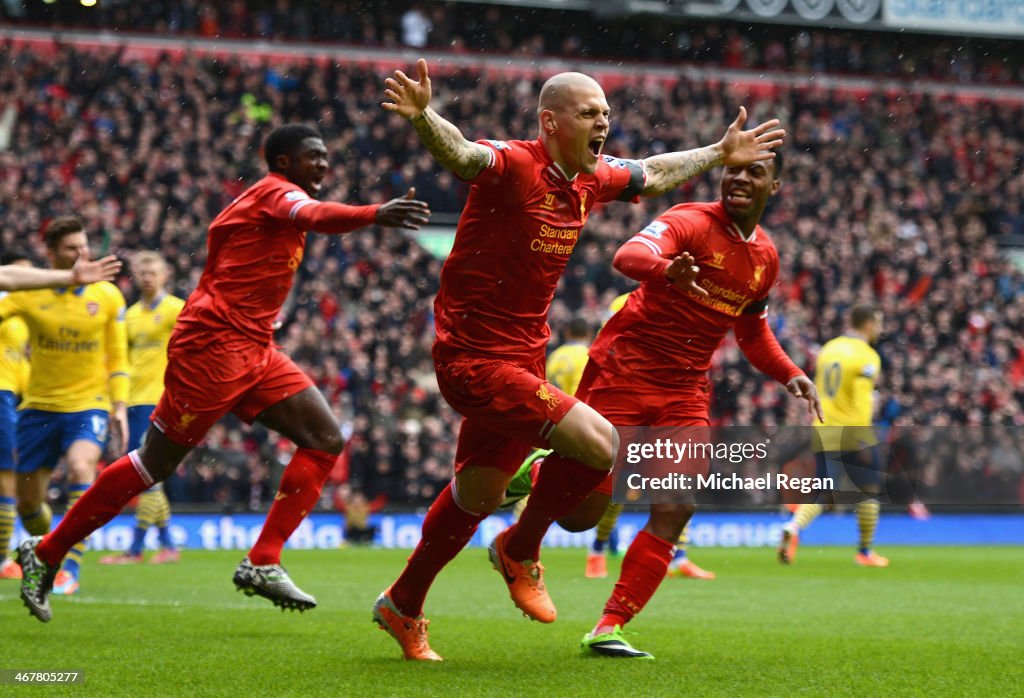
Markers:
(254, 247)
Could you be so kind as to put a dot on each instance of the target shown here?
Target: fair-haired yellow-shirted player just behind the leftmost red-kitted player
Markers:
(150, 324)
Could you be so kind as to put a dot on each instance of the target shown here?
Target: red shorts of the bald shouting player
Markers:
(508, 410)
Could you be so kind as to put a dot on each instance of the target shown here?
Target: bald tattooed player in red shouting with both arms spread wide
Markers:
(527, 206)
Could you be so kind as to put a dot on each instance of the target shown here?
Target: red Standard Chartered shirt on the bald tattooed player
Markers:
(521, 224)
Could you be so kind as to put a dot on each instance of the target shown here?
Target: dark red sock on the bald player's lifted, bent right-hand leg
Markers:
(562, 486)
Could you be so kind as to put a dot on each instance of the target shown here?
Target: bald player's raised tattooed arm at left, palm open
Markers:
(411, 100)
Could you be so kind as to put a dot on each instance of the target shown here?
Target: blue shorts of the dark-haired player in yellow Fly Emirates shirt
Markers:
(44, 438)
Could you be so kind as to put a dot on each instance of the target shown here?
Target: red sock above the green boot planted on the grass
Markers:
(645, 568)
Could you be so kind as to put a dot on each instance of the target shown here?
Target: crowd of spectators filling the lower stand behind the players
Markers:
(899, 200)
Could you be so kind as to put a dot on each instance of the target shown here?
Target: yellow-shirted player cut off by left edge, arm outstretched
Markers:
(17, 274)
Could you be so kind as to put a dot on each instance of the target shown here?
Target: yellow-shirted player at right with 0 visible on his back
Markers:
(847, 369)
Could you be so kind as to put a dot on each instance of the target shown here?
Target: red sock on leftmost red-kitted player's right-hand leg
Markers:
(298, 494)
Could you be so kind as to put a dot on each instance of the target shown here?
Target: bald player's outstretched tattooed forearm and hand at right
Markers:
(738, 149)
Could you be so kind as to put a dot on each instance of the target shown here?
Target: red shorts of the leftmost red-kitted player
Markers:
(209, 376)
